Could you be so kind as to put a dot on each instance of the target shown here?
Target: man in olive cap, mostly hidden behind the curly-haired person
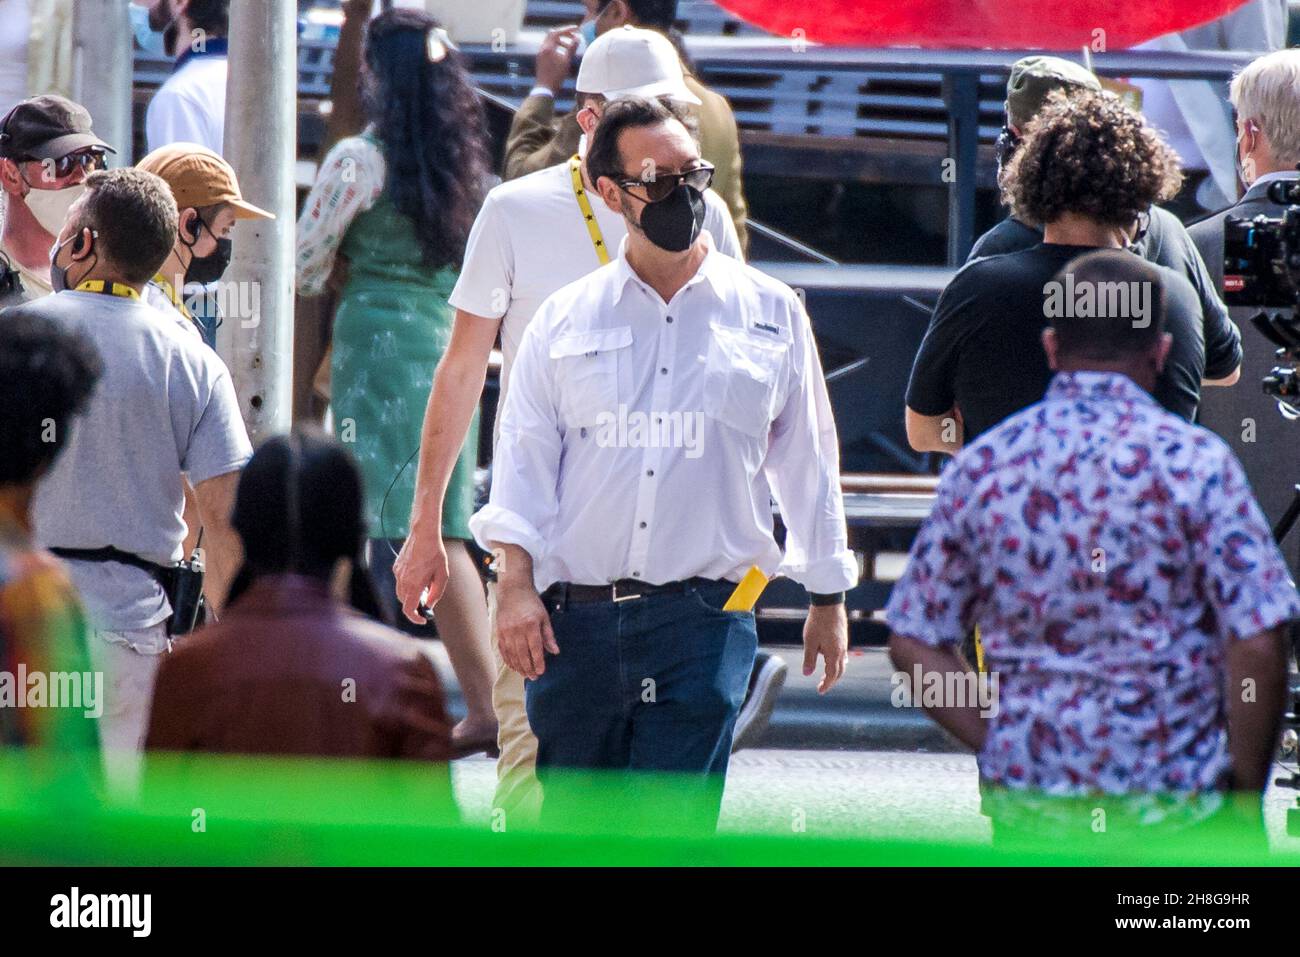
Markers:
(1159, 239)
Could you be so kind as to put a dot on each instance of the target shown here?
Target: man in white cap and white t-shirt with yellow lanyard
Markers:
(531, 239)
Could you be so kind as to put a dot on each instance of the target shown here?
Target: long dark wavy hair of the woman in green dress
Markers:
(432, 129)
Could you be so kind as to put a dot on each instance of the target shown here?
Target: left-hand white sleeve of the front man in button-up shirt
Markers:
(525, 501)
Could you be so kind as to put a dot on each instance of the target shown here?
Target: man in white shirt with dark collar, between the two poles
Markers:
(190, 107)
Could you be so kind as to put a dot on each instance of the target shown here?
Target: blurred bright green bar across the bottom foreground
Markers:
(262, 812)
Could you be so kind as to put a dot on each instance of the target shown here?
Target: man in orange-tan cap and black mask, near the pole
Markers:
(210, 202)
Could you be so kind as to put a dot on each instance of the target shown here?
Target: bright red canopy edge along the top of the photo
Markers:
(999, 24)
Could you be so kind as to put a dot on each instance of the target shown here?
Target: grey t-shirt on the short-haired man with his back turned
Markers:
(164, 406)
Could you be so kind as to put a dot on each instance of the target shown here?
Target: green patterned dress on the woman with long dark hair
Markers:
(391, 330)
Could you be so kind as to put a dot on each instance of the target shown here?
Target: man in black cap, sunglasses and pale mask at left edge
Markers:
(47, 150)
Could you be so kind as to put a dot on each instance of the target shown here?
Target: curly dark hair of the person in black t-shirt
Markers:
(1089, 154)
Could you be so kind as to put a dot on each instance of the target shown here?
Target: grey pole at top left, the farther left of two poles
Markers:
(102, 72)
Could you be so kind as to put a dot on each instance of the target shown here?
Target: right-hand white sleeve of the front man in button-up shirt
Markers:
(804, 471)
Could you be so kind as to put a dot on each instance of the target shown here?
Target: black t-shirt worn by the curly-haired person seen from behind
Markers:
(983, 350)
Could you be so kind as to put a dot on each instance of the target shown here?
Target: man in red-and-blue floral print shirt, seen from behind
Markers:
(1126, 588)
